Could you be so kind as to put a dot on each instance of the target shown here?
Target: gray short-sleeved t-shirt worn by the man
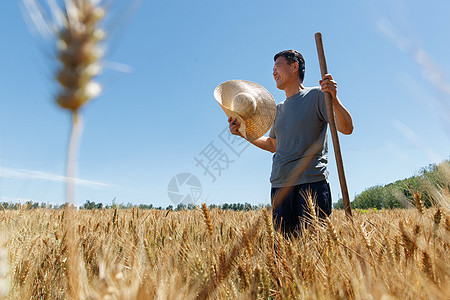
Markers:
(300, 121)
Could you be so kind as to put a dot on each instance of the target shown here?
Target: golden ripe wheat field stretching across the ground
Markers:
(218, 254)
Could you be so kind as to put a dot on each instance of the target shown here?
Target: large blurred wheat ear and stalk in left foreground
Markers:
(74, 27)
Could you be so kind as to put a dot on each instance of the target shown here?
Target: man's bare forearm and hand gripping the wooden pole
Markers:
(344, 122)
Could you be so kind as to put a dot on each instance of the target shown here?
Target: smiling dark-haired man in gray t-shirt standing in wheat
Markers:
(300, 122)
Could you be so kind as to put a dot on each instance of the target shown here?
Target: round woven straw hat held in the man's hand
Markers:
(251, 104)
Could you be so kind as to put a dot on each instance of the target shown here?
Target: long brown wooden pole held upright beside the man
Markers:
(332, 123)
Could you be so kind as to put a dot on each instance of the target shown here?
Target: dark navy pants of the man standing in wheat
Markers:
(291, 211)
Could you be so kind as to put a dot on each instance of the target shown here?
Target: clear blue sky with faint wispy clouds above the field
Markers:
(390, 59)
